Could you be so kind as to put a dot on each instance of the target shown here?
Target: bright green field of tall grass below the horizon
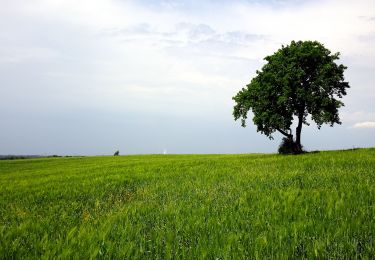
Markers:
(316, 205)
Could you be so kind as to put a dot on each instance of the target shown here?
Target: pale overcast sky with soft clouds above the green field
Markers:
(90, 77)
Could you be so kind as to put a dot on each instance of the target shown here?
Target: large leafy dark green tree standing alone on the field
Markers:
(298, 80)
